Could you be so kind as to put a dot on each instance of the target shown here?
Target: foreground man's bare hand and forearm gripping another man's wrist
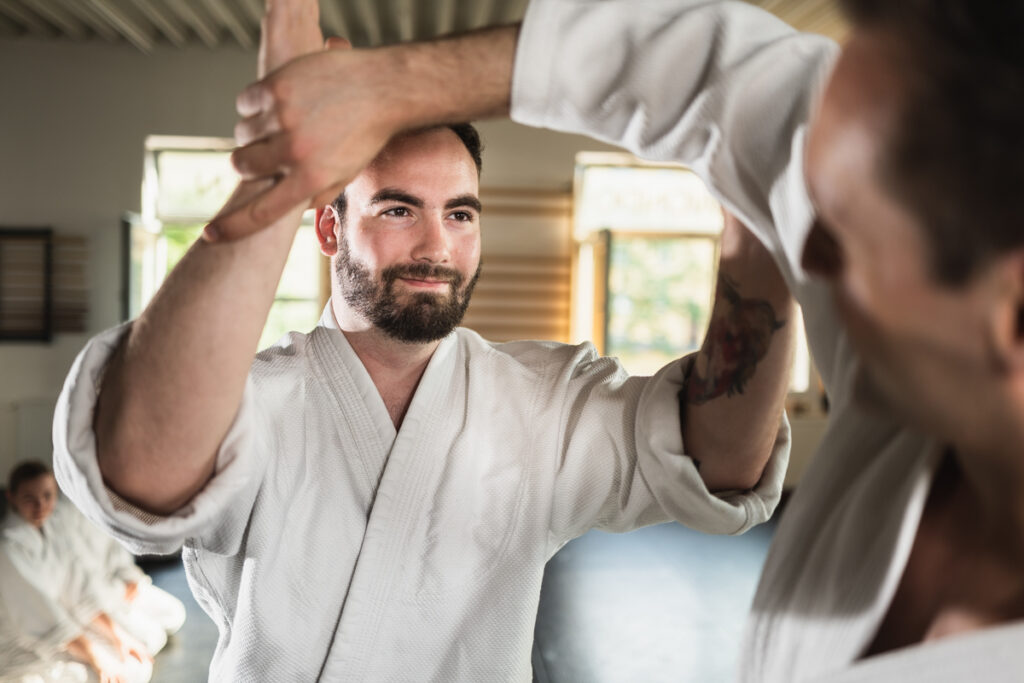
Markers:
(318, 121)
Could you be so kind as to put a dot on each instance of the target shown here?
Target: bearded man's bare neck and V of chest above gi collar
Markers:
(395, 367)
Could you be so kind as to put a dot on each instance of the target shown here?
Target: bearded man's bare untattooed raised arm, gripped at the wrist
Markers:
(175, 385)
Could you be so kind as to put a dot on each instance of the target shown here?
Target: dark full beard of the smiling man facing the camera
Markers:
(424, 318)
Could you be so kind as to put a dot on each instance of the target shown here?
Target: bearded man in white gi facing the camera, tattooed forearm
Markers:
(377, 500)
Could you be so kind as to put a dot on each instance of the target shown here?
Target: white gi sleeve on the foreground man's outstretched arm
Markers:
(722, 88)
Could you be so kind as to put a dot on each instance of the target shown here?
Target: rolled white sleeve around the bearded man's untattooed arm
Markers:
(216, 518)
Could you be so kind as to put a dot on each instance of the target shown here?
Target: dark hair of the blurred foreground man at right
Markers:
(956, 154)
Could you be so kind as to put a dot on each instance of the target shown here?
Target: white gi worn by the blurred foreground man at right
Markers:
(729, 90)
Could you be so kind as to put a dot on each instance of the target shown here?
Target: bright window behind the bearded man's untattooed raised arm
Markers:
(186, 183)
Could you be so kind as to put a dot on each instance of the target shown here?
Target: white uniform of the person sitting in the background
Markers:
(48, 600)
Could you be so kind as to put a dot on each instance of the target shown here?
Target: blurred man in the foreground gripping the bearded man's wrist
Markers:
(885, 179)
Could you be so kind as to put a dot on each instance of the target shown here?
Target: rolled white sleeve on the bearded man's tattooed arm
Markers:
(623, 464)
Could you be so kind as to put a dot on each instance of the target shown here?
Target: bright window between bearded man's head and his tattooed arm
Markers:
(648, 244)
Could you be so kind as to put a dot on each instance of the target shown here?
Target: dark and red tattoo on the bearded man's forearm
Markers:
(739, 338)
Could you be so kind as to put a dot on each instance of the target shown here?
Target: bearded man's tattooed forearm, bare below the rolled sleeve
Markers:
(735, 397)
